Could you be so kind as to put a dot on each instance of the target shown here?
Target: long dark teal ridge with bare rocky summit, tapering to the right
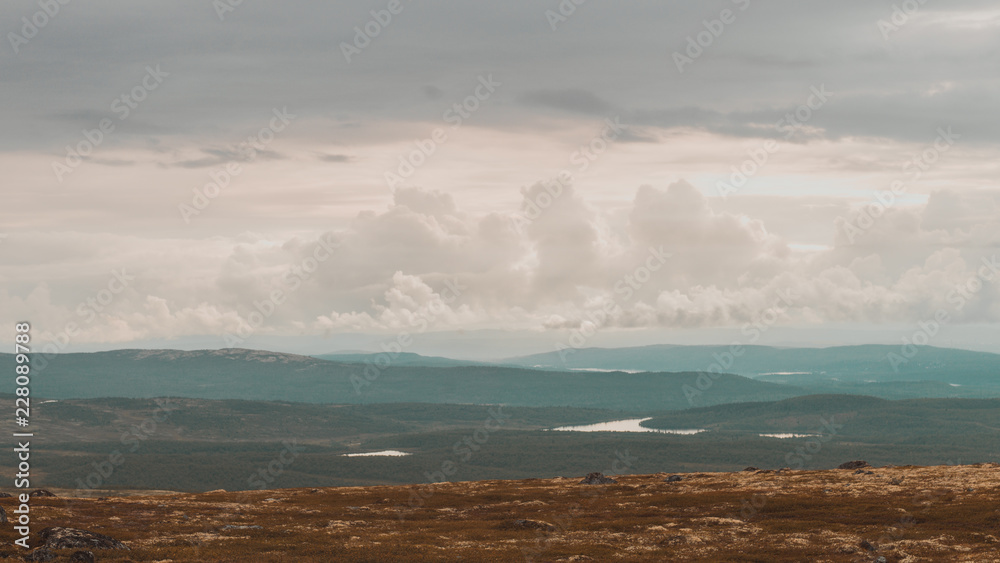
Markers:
(270, 376)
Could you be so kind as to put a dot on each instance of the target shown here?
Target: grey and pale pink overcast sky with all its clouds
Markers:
(487, 179)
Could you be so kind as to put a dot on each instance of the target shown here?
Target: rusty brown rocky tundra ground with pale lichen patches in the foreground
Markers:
(893, 514)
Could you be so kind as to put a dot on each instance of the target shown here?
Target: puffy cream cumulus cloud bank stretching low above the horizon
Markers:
(425, 264)
